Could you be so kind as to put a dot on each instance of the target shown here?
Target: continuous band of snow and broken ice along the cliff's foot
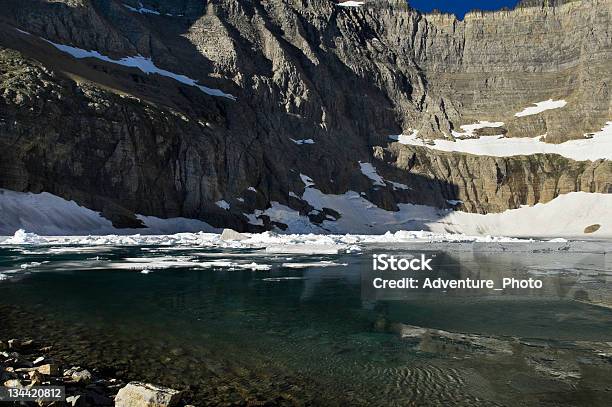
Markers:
(566, 216)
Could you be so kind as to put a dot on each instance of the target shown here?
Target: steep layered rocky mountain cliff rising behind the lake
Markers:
(221, 110)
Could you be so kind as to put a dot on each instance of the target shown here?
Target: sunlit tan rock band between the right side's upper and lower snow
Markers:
(493, 184)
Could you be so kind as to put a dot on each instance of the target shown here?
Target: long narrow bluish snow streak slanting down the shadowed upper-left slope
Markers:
(146, 65)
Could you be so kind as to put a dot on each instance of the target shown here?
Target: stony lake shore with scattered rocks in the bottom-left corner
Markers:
(26, 364)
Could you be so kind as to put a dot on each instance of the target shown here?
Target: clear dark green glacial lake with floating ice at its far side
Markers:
(242, 325)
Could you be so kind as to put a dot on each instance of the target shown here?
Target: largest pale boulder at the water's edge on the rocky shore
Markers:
(137, 394)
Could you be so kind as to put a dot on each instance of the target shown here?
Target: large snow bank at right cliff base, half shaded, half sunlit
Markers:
(567, 215)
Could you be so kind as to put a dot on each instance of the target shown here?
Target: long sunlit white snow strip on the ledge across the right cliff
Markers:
(595, 147)
